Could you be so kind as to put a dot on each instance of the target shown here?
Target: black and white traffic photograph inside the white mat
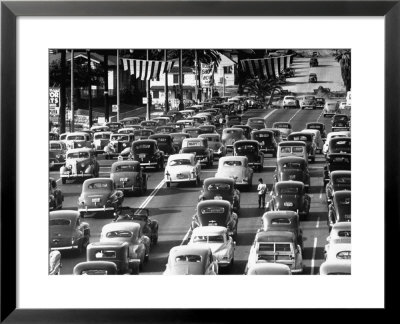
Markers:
(199, 161)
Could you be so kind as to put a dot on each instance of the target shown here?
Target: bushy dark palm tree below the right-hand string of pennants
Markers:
(262, 88)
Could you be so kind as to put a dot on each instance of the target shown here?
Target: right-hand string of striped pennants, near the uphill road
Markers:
(268, 67)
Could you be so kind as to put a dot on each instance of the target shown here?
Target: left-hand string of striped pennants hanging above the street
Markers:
(146, 69)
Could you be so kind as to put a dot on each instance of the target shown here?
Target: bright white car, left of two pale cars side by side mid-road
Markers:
(182, 168)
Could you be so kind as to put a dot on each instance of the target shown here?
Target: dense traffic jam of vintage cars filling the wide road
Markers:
(226, 186)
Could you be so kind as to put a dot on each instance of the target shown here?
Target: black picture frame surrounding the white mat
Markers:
(10, 10)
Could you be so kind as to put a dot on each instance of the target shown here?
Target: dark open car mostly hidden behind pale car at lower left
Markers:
(148, 226)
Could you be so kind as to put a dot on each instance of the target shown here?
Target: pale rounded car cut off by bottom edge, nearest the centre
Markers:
(191, 260)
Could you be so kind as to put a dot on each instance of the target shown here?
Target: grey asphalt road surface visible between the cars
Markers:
(173, 207)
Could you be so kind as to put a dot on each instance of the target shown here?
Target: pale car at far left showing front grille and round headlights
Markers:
(80, 164)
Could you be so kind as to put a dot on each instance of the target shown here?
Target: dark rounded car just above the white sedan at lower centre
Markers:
(216, 213)
